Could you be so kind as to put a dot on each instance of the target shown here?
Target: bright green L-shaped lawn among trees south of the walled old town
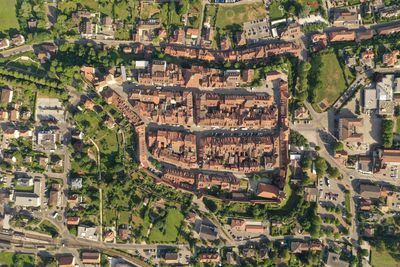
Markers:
(172, 225)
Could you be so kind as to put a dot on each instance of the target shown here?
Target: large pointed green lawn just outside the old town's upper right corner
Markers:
(327, 70)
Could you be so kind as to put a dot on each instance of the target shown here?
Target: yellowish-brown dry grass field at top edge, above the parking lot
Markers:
(236, 14)
